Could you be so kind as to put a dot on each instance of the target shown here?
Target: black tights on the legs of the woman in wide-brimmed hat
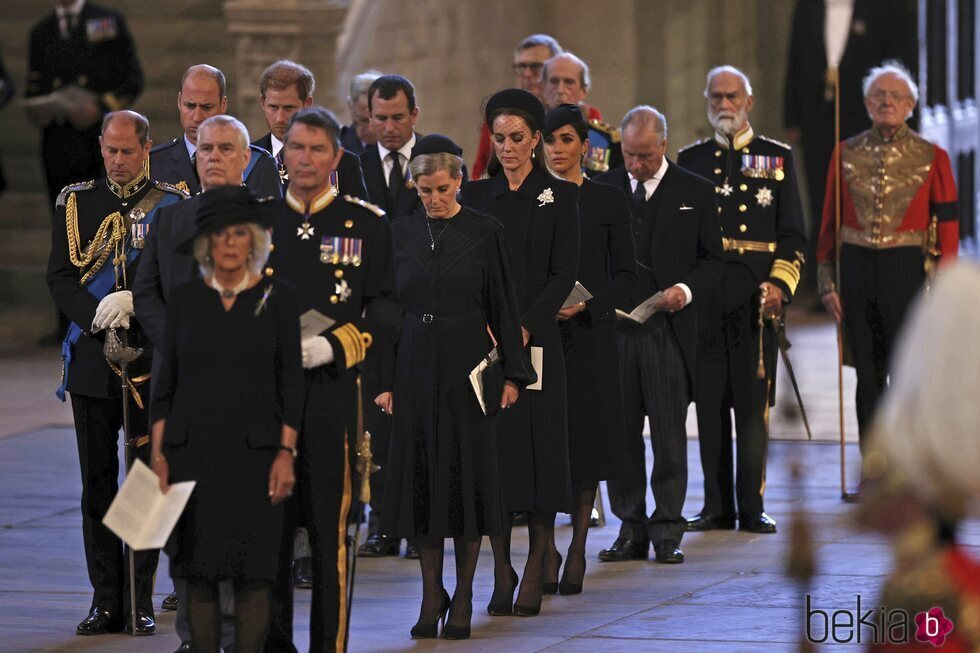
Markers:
(251, 615)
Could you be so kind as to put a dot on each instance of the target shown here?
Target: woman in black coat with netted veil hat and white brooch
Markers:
(540, 218)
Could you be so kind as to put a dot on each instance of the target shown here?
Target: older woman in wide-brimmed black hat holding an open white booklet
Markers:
(226, 406)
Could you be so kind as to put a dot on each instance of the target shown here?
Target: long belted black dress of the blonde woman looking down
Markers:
(442, 465)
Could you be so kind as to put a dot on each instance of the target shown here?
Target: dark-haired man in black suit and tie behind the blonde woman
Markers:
(391, 101)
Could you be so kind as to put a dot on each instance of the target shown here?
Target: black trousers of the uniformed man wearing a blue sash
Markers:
(97, 425)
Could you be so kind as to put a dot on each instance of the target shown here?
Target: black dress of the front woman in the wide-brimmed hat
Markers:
(229, 381)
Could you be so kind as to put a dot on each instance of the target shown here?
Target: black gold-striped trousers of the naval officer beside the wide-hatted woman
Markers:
(321, 499)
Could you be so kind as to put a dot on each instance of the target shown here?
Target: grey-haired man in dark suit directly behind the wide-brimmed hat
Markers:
(223, 156)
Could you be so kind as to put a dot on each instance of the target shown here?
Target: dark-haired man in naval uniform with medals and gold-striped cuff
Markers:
(336, 251)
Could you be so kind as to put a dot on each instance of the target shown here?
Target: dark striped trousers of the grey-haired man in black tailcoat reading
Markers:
(655, 384)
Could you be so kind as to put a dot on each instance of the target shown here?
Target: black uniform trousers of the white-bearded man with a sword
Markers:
(727, 380)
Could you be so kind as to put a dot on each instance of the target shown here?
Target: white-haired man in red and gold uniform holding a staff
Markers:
(897, 221)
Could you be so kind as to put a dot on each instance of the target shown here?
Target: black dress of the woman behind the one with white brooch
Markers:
(607, 269)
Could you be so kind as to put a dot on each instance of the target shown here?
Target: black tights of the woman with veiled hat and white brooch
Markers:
(541, 532)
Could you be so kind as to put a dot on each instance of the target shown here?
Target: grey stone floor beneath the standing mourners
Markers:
(731, 595)
